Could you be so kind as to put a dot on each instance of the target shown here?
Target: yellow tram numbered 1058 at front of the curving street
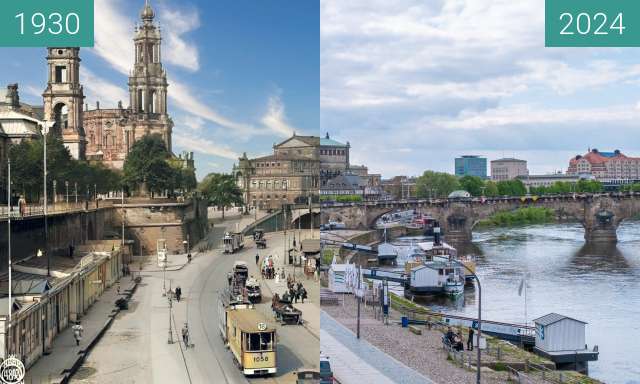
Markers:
(251, 339)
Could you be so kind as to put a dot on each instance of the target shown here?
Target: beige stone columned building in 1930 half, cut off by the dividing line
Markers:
(290, 175)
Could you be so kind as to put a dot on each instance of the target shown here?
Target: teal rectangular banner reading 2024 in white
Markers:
(592, 23)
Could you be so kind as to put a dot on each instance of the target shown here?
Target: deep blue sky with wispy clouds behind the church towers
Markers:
(243, 74)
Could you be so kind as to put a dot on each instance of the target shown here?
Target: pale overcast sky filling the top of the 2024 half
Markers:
(413, 84)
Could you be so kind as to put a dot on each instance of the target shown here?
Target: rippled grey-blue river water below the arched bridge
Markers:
(599, 285)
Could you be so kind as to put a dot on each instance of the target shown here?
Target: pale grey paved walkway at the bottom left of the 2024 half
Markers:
(355, 361)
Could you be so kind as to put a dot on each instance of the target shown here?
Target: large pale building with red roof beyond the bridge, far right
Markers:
(605, 166)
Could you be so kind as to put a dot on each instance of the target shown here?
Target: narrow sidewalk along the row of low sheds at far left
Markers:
(64, 352)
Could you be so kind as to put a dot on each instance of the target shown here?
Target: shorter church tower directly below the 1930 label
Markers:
(63, 99)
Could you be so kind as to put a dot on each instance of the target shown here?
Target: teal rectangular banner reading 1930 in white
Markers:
(46, 23)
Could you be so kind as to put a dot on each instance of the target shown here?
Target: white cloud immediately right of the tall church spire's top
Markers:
(177, 23)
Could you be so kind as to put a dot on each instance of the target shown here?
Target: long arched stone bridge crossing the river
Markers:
(600, 214)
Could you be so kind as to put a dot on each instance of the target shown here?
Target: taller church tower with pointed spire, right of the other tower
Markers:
(148, 83)
